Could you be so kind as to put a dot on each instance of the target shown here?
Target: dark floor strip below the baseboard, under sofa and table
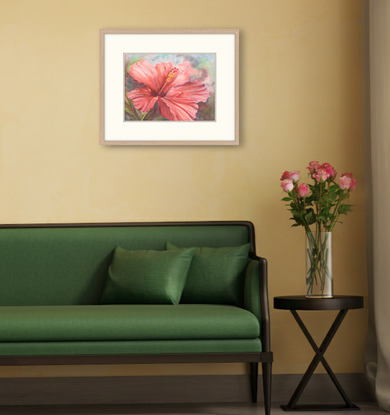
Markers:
(171, 409)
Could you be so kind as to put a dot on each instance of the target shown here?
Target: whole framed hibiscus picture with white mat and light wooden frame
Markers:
(169, 87)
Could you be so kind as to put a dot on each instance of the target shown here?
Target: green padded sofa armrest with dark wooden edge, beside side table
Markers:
(256, 296)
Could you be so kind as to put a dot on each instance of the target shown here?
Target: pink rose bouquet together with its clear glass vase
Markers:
(320, 203)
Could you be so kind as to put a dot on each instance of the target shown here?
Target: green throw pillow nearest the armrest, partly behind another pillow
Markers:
(215, 275)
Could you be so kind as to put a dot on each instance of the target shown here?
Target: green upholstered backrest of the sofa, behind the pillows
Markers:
(68, 264)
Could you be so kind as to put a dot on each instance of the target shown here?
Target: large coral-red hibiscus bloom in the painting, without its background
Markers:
(177, 97)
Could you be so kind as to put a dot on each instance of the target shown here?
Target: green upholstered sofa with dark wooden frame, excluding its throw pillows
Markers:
(51, 308)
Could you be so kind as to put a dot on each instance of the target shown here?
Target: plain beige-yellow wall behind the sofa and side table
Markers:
(300, 100)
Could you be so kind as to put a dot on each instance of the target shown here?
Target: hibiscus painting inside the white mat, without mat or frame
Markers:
(169, 87)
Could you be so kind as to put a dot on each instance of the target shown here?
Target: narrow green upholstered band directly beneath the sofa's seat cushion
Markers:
(130, 347)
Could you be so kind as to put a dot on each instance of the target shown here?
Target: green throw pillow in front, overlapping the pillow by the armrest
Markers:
(146, 277)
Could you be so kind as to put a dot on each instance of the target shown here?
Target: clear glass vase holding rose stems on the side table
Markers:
(319, 281)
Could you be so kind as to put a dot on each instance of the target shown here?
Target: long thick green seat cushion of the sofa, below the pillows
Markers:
(126, 322)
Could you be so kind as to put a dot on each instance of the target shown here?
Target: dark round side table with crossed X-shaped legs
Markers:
(342, 303)
